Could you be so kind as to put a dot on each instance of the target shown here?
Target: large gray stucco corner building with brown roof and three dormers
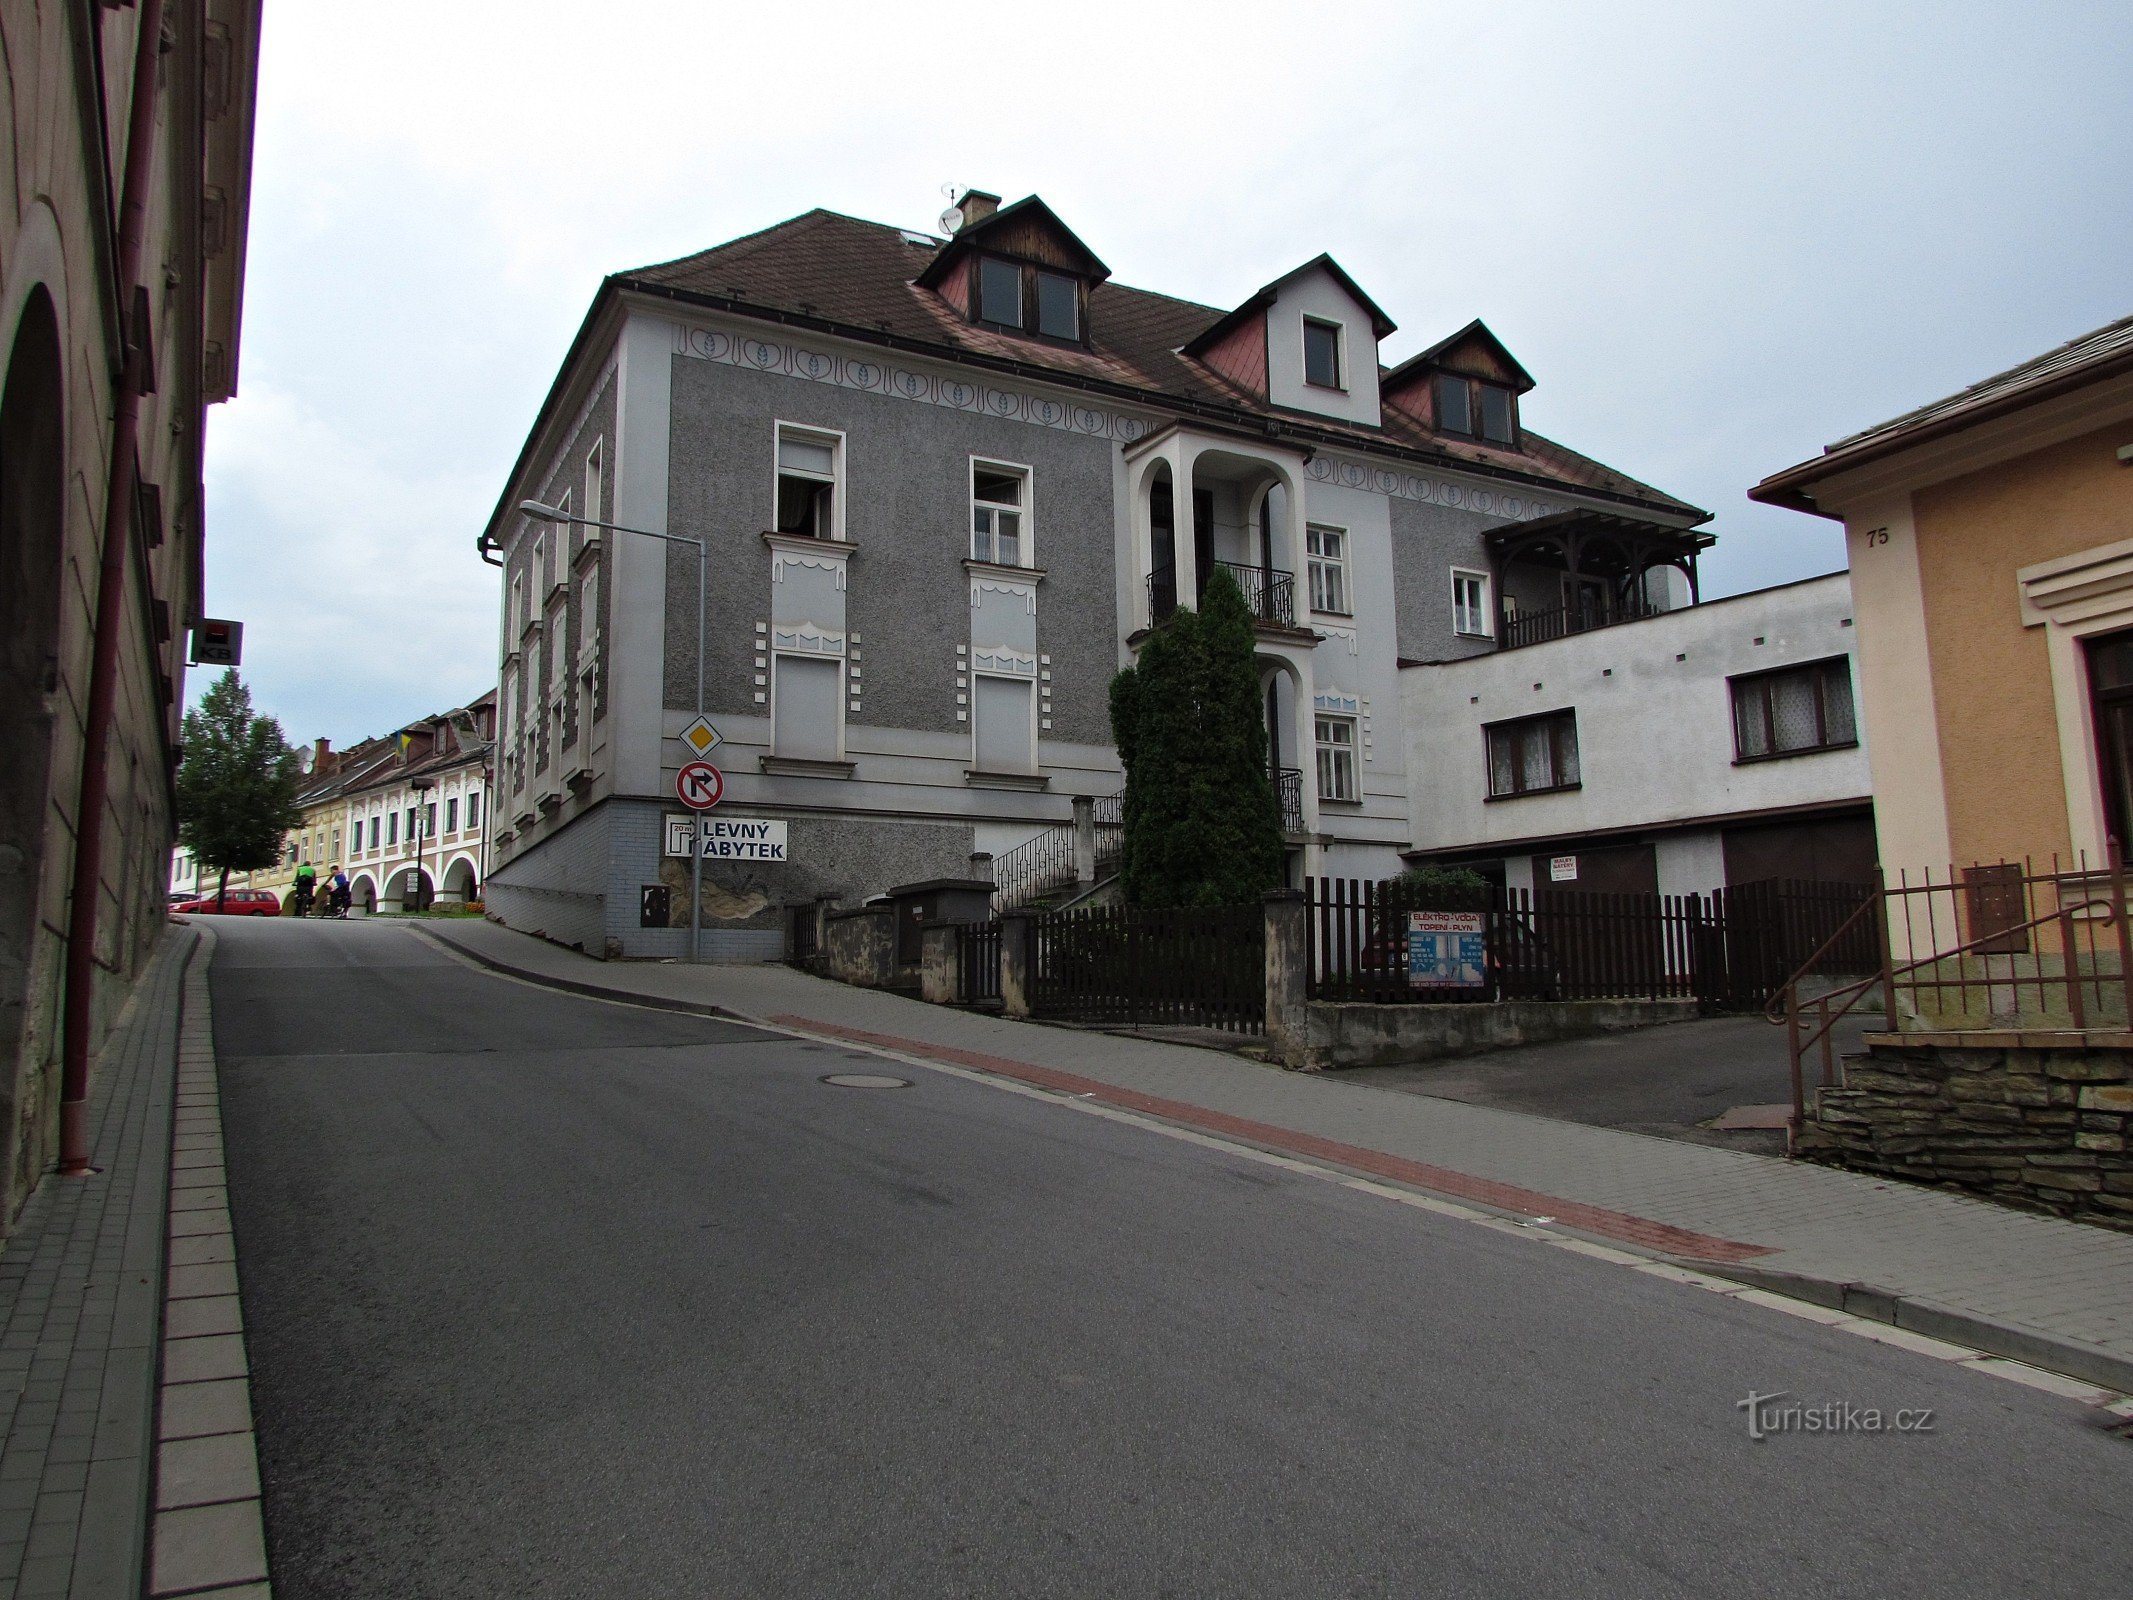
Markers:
(944, 490)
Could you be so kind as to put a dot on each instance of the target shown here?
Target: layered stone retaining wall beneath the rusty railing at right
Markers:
(2027, 1119)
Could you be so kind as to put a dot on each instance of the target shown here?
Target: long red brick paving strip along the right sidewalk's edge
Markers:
(1443, 1181)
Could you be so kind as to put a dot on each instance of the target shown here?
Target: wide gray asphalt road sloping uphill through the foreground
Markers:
(562, 1298)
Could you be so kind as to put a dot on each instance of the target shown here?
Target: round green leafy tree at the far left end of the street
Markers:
(238, 784)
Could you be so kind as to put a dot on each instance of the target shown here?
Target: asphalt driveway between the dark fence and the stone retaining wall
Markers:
(1652, 1081)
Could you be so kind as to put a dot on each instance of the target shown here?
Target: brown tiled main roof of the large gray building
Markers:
(859, 274)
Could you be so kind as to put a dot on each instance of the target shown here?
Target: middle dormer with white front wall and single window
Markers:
(1309, 342)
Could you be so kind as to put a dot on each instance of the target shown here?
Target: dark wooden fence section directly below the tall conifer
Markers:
(1132, 965)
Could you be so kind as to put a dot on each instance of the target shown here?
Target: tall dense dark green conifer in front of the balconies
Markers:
(1202, 820)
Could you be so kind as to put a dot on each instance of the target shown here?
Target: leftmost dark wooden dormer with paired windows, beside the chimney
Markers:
(1016, 270)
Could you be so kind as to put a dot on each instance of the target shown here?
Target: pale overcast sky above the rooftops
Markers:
(1718, 236)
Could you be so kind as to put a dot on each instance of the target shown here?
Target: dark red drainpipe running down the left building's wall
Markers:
(110, 607)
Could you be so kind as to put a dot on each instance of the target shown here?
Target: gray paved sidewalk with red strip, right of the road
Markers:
(2032, 1287)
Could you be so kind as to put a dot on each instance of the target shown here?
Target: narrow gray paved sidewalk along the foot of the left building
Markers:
(82, 1298)
